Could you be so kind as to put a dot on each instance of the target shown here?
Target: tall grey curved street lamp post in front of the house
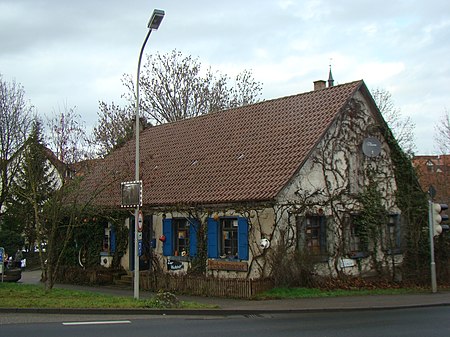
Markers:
(154, 23)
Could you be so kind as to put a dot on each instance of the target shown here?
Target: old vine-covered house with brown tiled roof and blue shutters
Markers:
(224, 192)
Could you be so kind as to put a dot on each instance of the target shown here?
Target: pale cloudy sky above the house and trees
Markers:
(75, 53)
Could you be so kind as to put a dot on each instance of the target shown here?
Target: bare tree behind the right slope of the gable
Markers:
(402, 127)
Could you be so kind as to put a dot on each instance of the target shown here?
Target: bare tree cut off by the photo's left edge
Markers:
(15, 123)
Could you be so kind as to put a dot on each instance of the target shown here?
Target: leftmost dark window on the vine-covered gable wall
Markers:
(313, 234)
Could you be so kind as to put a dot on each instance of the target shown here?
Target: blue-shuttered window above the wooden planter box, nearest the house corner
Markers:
(228, 238)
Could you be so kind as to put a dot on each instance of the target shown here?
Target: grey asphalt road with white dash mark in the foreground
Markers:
(416, 322)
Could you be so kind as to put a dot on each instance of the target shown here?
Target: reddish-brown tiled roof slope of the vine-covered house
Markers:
(243, 154)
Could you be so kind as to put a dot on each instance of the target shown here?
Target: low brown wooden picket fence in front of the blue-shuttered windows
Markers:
(205, 286)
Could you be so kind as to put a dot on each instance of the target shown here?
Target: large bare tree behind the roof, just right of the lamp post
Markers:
(174, 88)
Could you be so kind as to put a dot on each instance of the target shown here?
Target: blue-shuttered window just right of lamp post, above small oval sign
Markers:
(181, 237)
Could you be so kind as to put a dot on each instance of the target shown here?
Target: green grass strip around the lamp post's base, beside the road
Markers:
(16, 295)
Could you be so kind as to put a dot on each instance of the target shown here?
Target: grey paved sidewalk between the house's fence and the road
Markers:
(247, 307)
